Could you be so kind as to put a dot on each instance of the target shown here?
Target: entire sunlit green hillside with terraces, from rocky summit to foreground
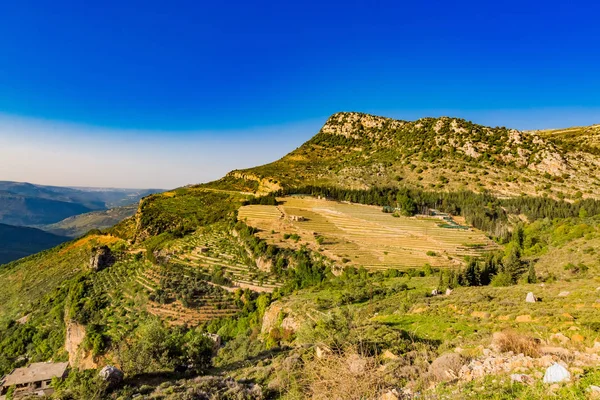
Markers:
(382, 259)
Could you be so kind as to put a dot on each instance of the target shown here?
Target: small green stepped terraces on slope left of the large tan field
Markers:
(214, 250)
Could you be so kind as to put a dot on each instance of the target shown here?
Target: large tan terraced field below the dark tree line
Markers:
(363, 235)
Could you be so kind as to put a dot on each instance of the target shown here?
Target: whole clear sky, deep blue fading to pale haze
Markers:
(208, 75)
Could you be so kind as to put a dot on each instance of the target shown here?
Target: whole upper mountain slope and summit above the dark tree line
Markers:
(356, 150)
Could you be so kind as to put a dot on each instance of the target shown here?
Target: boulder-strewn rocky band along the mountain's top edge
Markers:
(450, 136)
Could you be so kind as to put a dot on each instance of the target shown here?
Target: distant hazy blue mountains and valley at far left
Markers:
(63, 212)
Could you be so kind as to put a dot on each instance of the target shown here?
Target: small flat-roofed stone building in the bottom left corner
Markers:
(34, 379)
